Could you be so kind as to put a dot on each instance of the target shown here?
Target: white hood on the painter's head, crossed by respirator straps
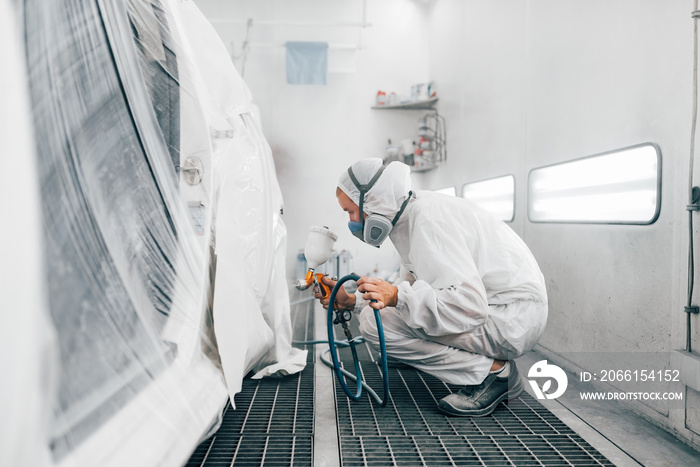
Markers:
(387, 194)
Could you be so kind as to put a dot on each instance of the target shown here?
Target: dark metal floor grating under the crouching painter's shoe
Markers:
(411, 431)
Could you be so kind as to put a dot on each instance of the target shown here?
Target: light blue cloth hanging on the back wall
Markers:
(307, 62)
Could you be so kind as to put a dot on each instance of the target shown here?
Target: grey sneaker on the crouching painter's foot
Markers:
(481, 399)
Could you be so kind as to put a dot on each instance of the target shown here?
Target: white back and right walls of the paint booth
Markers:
(522, 84)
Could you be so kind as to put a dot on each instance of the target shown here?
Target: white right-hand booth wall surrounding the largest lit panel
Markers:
(531, 83)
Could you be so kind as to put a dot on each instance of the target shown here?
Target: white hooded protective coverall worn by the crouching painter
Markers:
(469, 292)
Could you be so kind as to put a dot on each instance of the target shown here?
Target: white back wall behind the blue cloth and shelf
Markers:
(316, 132)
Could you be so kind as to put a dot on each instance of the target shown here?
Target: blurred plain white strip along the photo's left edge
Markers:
(26, 334)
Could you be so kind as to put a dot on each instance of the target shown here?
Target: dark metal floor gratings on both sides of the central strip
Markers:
(273, 425)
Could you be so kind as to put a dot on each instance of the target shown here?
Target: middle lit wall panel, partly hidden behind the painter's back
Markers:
(496, 195)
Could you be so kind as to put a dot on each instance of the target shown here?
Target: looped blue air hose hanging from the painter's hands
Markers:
(342, 318)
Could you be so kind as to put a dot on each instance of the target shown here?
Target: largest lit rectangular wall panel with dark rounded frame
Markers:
(616, 187)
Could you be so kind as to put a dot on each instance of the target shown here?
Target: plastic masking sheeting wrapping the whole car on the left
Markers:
(146, 168)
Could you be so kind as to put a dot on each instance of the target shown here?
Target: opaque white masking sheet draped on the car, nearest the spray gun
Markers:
(251, 300)
